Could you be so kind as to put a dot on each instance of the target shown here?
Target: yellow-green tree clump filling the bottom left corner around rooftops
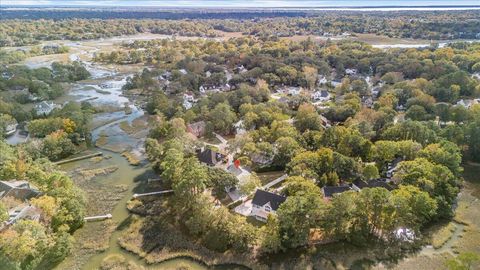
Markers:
(43, 242)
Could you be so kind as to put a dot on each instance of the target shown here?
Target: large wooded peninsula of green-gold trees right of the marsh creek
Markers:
(415, 116)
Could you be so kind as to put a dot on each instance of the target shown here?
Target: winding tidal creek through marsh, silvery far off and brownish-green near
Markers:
(110, 83)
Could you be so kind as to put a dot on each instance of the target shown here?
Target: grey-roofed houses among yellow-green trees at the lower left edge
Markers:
(15, 195)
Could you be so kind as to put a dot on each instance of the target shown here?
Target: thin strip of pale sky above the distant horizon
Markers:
(239, 3)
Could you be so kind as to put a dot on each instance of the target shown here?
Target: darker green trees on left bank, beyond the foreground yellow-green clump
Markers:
(63, 128)
